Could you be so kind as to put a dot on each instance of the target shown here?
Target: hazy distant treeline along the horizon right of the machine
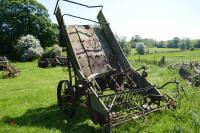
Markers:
(141, 44)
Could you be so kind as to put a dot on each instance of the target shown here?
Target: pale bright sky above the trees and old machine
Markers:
(157, 19)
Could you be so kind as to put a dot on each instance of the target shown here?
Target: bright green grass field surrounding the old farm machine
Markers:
(28, 103)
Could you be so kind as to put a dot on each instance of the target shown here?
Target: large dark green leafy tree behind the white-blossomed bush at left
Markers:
(22, 17)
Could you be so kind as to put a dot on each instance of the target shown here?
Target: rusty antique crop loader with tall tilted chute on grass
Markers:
(115, 92)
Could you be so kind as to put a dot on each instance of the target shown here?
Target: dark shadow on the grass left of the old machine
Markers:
(52, 118)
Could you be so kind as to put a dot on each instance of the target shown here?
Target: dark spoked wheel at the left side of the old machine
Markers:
(66, 97)
